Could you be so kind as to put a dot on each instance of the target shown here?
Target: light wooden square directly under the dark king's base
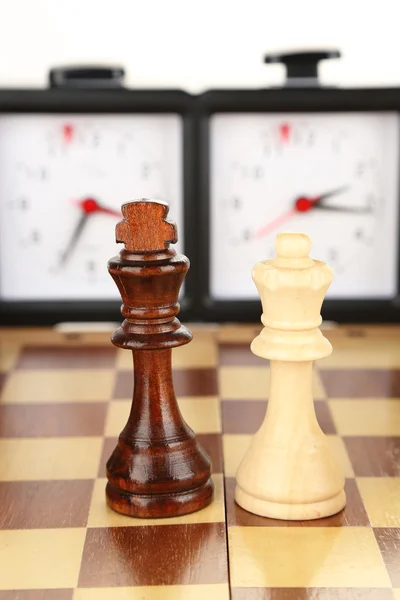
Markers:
(100, 515)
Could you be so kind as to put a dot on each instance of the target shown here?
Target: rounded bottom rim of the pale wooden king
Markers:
(290, 512)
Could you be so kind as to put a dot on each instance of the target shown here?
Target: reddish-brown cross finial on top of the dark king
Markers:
(145, 227)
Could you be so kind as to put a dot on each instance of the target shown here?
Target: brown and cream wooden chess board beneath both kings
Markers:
(64, 399)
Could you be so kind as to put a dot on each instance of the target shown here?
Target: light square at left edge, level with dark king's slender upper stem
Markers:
(64, 385)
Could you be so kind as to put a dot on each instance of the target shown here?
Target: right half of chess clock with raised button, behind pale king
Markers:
(320, 160)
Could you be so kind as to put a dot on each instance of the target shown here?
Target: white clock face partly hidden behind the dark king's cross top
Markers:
(63, 181)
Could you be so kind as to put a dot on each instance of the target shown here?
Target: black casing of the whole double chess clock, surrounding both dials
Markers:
(197, 304)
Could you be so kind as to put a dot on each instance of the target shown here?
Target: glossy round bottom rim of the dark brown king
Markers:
(159, 505)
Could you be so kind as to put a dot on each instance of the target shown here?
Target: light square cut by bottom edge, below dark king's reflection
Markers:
(216, 591)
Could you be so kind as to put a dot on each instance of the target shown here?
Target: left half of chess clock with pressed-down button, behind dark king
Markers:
(70, 156)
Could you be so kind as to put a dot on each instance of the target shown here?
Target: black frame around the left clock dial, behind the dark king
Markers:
(106, 101)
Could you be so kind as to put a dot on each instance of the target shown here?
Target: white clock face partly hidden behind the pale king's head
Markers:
(333, 176)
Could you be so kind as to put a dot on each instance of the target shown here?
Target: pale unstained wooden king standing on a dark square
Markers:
(289, 471)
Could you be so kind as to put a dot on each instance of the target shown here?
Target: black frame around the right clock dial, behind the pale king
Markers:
(290, 99)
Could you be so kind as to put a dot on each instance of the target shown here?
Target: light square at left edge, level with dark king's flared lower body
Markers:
(25, 459)
